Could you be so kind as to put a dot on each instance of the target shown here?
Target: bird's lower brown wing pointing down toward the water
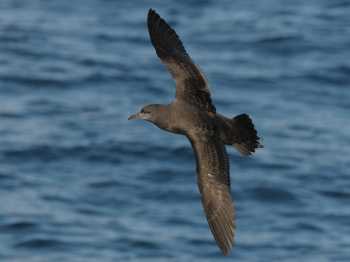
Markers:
(214, 186)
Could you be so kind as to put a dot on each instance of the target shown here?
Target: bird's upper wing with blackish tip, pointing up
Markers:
(191, 85)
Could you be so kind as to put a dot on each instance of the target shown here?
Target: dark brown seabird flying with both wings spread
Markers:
(193, 114)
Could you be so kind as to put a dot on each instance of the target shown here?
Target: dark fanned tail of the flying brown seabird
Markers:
(246, 138)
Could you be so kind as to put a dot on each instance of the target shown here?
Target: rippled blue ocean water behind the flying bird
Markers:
(78, 182)
